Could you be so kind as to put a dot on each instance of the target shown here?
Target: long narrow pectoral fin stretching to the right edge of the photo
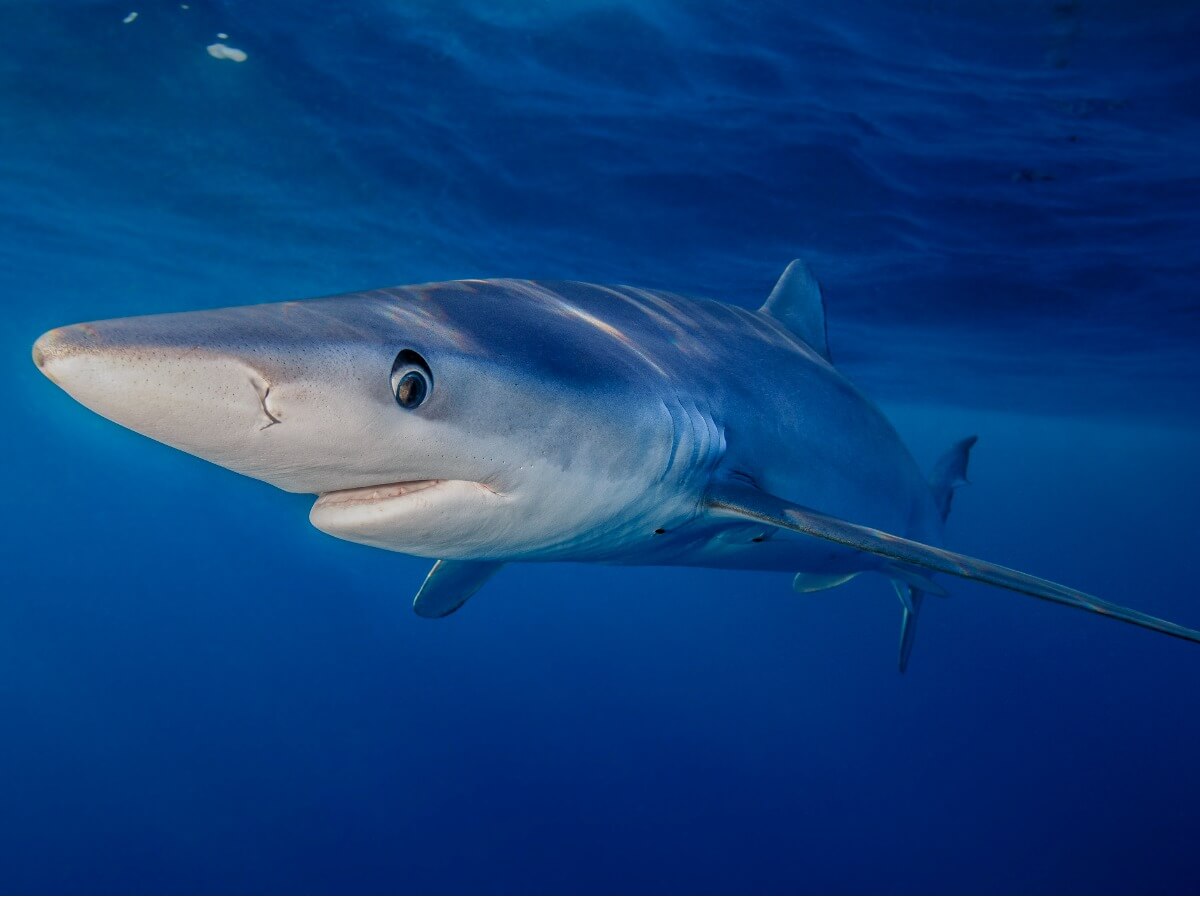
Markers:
(749, 503)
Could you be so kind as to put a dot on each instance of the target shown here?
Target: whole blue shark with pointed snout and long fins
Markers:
(483, 423)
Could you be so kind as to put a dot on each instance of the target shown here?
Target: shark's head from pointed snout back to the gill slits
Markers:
(455, 422)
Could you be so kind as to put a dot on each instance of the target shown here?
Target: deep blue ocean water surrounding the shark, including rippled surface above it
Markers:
(200, 693)
